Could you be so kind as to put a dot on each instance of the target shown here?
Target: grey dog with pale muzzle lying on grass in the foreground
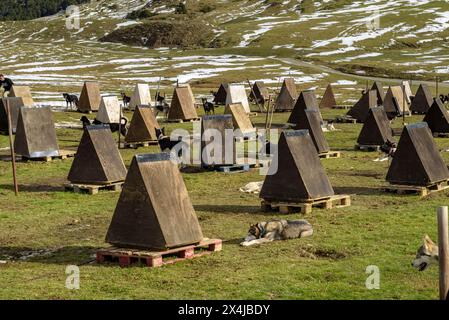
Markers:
(263, 232)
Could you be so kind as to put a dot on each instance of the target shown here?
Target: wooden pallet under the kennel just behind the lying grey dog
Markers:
(337, 201)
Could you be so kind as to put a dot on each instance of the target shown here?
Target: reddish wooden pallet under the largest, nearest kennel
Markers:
(127, 257)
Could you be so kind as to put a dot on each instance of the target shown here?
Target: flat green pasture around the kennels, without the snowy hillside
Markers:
(63, 228)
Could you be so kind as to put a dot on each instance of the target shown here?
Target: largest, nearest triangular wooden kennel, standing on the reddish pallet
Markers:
(154, 210)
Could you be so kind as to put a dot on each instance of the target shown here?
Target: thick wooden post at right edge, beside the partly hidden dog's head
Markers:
(443, 252)
